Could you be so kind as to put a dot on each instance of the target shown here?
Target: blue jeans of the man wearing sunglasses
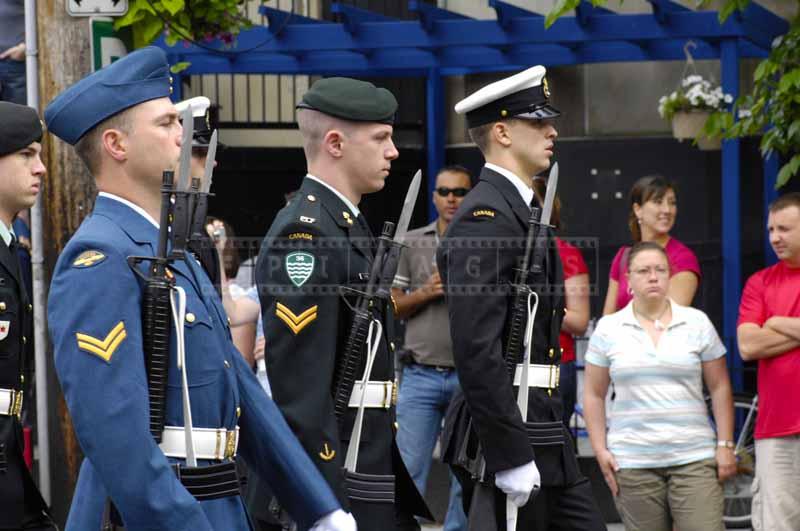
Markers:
(424, 396)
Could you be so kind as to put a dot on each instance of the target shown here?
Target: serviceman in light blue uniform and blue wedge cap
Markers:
(126, 130)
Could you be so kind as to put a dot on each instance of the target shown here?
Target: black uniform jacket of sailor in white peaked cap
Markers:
(483, 245)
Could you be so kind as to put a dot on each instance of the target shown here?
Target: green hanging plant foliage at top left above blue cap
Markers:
(183, 20)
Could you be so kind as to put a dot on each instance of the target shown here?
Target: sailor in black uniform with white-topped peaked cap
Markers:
(511, 121)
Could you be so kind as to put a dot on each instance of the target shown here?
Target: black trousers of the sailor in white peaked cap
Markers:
(569, 508)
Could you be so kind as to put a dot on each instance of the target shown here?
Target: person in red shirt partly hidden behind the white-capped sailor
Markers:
(576, 316)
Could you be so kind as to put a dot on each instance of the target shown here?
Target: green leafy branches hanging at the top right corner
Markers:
(773, 106)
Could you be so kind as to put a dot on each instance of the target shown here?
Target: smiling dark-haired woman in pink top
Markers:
(652, 216)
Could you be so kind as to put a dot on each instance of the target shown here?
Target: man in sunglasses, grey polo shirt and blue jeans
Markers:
(429, 378)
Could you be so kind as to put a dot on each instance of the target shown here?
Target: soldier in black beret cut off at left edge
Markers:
(21, 175)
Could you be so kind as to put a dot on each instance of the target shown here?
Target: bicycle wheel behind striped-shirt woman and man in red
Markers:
(736, 491)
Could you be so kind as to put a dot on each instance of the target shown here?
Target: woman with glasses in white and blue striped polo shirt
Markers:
(659, 457)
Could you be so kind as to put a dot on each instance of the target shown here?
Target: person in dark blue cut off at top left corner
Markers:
(13, 86)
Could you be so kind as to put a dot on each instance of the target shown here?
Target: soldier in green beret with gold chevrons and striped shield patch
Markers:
(318, 244)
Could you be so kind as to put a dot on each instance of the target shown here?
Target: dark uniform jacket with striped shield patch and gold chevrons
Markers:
(309, 254)
